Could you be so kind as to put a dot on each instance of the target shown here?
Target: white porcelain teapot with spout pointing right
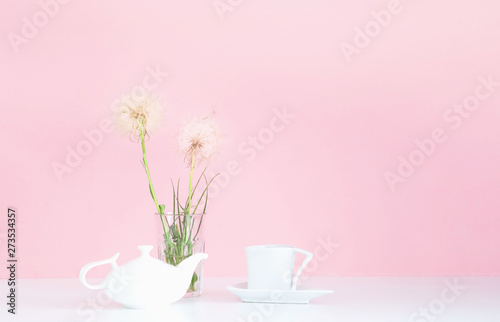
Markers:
(145, 281)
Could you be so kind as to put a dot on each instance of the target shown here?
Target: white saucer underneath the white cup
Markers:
(298, 296)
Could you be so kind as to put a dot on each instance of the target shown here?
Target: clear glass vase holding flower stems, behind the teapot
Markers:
(180, 236)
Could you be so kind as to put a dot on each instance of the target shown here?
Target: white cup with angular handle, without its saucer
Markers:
(270, 267)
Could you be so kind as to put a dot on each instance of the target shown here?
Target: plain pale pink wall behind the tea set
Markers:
(359, 103)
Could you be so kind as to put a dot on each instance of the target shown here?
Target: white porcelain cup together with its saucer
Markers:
(271, 278)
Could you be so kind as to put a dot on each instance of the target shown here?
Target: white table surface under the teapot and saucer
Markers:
(359, 299)
